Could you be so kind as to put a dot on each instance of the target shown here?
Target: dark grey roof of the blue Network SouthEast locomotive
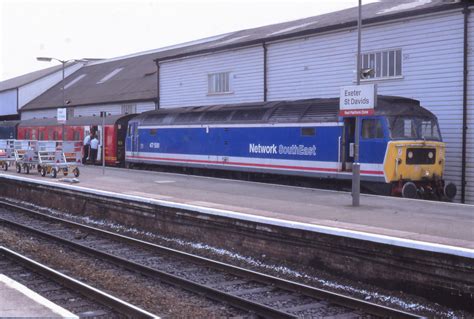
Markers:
(308, 110)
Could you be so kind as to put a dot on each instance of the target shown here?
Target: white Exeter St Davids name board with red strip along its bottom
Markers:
(357, 100)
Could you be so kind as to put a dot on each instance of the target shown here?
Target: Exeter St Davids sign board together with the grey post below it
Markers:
(357, 100)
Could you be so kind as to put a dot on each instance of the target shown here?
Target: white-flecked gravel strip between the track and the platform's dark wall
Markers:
(278, 268)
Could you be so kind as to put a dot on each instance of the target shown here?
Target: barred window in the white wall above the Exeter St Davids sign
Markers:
(386, 64)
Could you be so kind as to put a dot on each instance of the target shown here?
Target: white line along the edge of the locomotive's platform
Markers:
(382, 239)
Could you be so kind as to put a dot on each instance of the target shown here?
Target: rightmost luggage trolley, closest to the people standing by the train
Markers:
(52, 159)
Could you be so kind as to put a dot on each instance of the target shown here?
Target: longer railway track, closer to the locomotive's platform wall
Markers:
(257, 293)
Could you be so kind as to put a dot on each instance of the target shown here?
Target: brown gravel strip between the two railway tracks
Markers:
(155, 297)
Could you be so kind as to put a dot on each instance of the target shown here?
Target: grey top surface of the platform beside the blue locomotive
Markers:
(420, 220)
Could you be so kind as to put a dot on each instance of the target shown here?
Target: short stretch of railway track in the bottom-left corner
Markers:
(80, 299)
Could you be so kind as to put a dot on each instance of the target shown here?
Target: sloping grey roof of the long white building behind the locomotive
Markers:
(133, 77)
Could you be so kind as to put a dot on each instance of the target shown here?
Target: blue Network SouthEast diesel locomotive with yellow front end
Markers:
(401, 149)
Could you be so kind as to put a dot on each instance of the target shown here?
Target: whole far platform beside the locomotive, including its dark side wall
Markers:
(424, 247)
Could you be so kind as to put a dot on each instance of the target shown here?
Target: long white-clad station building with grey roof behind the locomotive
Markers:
(417, 49)
